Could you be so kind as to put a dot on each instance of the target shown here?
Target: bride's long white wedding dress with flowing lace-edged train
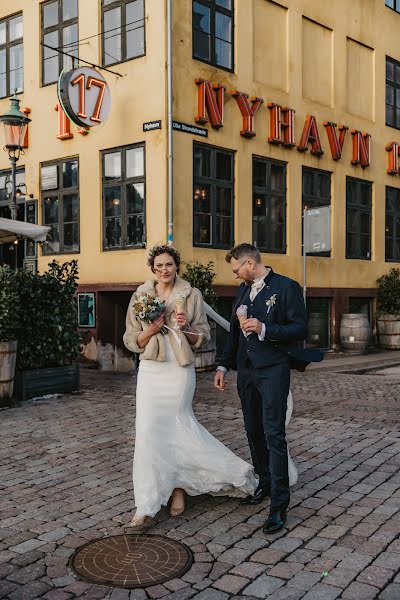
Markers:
(172, 449)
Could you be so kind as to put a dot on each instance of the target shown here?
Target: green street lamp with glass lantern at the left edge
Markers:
(14, 124)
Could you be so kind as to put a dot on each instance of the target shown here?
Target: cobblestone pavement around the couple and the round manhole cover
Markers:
(65, 478)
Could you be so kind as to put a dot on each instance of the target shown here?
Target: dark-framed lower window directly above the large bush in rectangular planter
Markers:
(59, 184)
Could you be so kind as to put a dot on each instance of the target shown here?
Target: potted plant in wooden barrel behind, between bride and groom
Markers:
(201, 277)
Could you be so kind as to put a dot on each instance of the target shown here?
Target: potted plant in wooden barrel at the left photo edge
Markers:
(9, 328)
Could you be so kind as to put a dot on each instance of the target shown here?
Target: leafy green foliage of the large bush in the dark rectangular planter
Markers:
(48, 334)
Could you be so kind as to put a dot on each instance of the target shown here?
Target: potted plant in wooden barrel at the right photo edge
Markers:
(388, 309)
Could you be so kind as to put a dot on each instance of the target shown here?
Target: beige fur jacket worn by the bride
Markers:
(155, 349)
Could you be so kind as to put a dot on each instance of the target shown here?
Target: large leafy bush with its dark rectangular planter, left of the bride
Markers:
(49, 342)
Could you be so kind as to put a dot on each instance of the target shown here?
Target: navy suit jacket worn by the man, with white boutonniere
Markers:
(280, 306)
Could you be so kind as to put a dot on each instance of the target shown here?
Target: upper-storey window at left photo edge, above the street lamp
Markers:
(11, 56)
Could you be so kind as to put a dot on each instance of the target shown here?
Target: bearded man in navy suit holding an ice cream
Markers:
(263, 351)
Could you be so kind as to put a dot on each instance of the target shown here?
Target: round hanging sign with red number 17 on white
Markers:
(84, 96)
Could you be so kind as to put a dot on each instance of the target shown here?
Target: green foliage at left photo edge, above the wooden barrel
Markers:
(9, 305)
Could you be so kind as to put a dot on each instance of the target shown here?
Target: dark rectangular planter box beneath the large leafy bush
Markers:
(40, 382)
